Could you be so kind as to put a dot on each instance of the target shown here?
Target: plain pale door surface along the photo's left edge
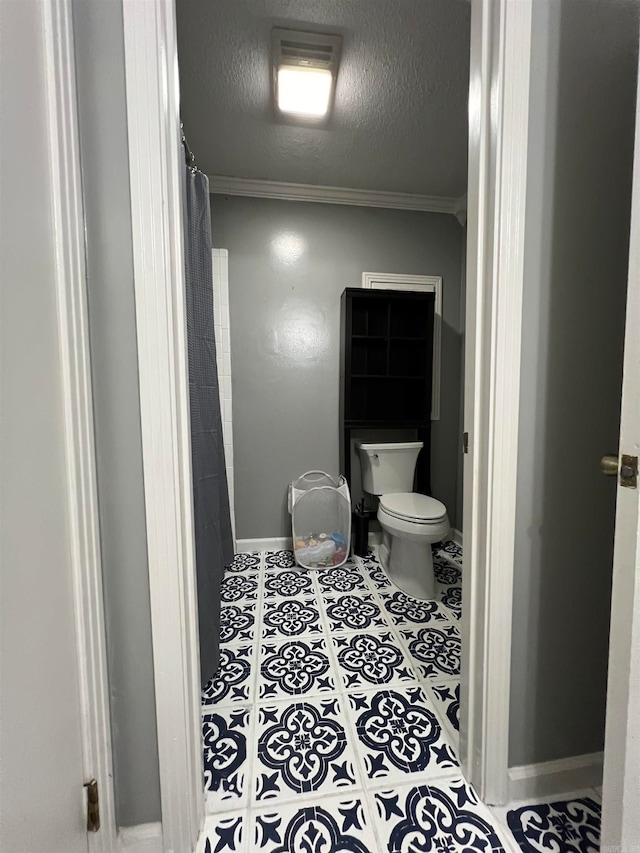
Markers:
(41, 771)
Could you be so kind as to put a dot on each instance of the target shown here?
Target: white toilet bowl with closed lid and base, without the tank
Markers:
(411, 523)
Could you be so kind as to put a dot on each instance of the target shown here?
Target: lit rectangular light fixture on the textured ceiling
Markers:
(305, 68)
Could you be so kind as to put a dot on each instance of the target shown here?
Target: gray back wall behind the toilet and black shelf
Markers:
(288, 265)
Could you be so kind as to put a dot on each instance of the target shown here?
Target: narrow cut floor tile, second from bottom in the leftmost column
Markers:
(226, 734)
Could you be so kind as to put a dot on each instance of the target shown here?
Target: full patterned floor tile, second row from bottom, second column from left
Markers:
(303, 748)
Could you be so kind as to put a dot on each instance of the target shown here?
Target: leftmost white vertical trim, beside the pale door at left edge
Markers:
(71, 292)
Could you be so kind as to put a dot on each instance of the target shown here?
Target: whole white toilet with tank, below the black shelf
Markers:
(410, 521)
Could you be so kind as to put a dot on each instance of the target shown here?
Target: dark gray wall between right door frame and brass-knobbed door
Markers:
(580, 148)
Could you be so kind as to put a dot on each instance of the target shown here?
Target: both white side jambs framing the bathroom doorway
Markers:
(500, 63)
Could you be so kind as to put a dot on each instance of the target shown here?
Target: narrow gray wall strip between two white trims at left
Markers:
(103, 132)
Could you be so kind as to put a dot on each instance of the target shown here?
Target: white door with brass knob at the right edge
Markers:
(621, 790)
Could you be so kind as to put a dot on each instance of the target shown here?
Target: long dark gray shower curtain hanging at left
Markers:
(212, 518)
